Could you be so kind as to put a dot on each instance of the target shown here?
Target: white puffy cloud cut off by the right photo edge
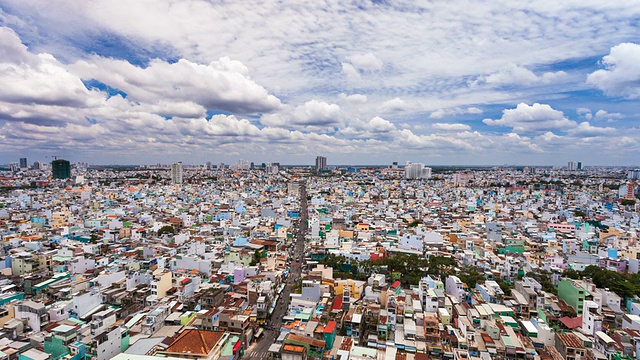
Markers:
(621, 73)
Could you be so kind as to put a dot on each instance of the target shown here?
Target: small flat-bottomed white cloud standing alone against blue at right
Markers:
(536, 118)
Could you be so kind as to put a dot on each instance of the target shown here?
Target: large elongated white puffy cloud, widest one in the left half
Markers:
(221, 85)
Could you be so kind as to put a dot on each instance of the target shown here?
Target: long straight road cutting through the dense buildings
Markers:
(260, 349)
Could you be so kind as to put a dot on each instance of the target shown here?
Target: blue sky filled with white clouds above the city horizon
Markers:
(359, 82)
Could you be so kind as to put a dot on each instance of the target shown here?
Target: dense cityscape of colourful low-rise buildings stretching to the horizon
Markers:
(263, 261)
